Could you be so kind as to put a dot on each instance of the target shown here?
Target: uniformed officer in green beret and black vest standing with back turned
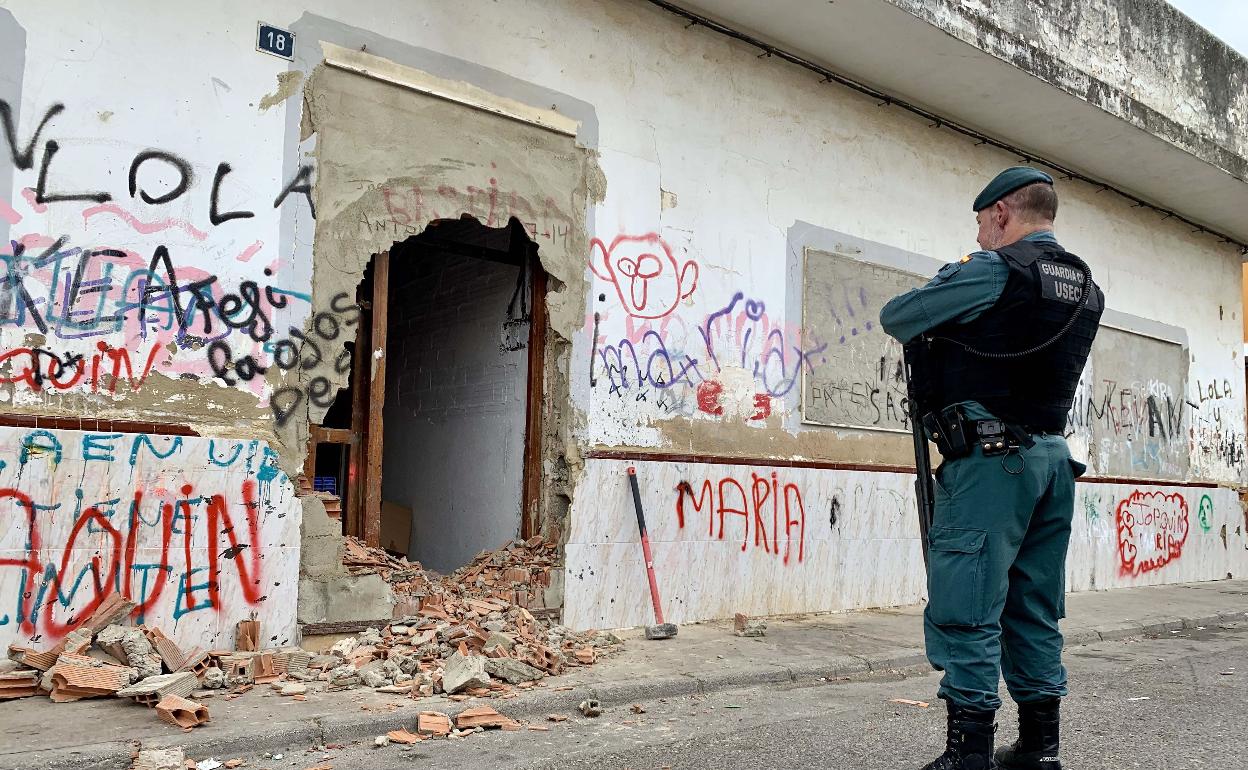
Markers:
(1002, 340)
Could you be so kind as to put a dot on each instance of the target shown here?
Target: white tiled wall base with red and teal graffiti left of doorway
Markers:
(197, 532)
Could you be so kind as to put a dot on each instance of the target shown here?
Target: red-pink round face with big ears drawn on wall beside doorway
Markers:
(646, 275)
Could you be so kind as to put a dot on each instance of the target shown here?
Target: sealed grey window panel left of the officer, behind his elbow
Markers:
(862, 383)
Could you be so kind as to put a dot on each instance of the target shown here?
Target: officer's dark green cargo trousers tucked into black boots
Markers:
(998, 582)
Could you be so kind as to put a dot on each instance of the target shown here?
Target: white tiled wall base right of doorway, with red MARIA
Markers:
(869, 557)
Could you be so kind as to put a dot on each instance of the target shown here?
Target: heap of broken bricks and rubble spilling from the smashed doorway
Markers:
(461, 636)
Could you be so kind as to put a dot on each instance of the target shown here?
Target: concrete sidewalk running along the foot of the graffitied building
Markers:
(703, 658)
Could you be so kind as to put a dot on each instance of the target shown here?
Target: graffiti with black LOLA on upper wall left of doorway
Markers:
(157, 294)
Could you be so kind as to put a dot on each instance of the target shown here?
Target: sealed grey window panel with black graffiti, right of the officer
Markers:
(1133, 406)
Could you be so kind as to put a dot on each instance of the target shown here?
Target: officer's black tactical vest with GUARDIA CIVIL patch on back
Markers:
(1035, 391)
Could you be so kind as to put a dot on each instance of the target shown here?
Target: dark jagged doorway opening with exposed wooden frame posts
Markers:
(442, 440)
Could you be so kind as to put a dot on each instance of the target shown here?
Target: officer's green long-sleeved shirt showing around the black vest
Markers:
(960, 293)
